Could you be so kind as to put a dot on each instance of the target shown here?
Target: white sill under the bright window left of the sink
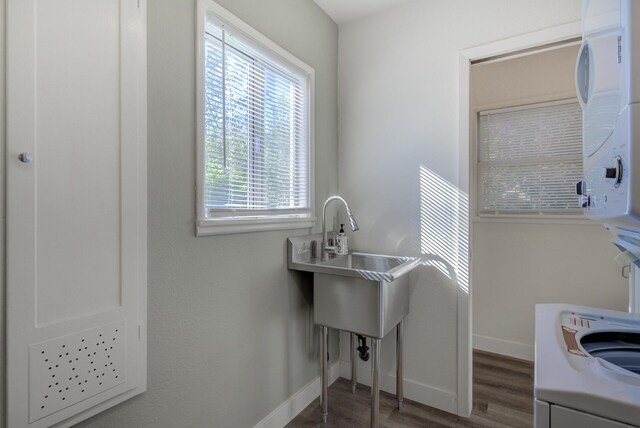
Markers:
(227, 226)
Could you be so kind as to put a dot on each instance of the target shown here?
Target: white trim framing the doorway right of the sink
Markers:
(502, 48)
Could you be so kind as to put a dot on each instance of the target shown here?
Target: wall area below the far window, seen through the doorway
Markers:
(518, 265)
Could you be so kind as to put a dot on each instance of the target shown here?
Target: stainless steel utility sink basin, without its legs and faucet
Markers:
(362, 293)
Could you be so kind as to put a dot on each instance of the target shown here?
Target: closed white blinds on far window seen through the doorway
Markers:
(530, 159)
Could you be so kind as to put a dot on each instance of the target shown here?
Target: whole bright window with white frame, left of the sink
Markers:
(255, 148)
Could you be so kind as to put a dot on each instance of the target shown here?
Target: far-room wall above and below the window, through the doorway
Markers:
(519, 264)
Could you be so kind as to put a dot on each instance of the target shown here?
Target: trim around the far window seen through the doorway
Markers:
(532, 217)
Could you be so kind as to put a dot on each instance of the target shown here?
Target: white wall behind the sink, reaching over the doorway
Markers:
(398, 106)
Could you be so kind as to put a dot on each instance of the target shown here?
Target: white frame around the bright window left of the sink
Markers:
(222, 226)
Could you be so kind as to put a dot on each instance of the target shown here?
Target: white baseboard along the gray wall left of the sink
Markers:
(299, 401)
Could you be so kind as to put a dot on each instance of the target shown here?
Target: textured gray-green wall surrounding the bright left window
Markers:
(230, 332)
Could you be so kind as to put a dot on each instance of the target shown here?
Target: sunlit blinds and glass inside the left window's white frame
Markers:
(256, 127)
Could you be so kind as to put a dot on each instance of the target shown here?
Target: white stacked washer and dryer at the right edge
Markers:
(587, 360)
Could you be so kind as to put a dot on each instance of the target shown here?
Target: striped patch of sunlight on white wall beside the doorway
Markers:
(444, 227)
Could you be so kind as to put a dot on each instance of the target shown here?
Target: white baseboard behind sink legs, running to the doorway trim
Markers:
(413, 390)
